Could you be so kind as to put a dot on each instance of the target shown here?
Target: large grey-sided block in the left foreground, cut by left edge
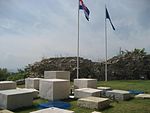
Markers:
(15, 98)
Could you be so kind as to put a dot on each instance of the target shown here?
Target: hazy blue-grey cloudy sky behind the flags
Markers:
(34, 29)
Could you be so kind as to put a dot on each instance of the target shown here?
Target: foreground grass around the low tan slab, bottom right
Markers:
(132, 106)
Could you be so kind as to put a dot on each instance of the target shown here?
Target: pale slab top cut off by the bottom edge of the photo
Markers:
(53, 110)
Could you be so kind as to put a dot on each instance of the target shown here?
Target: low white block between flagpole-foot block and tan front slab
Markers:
(86, 92)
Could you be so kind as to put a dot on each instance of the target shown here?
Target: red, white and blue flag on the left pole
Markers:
(85, 9)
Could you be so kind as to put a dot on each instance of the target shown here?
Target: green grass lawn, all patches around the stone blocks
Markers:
(131, 106)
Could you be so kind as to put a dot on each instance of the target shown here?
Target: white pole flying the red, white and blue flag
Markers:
(78, 43)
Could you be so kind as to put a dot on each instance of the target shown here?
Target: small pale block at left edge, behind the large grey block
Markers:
(5, 85)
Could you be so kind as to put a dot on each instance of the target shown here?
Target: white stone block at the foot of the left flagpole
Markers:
(85, 83)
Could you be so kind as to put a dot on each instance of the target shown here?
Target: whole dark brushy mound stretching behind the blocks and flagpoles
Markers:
(128, 65)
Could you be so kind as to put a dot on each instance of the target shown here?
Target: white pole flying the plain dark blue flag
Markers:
(105, 46)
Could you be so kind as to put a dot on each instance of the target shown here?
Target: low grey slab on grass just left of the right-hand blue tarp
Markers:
(119, 94)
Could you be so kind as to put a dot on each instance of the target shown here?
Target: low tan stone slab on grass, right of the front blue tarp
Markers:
(93, 103)
